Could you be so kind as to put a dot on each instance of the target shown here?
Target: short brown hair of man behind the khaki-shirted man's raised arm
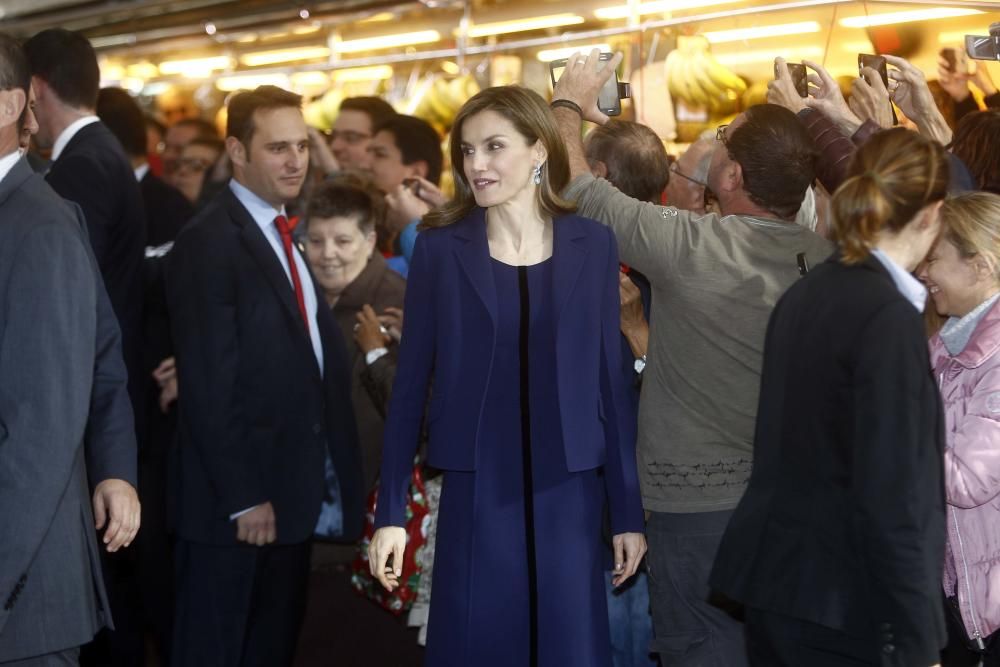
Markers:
(635, 157)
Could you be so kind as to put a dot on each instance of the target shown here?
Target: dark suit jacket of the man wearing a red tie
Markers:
(255, 413)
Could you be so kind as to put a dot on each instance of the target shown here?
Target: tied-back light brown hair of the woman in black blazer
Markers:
(890, 179)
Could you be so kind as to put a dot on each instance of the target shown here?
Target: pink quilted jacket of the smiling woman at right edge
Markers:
(970, 389)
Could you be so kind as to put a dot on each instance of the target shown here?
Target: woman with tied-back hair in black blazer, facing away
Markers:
(836, 547)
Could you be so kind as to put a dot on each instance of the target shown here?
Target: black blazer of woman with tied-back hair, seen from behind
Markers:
(843, 520)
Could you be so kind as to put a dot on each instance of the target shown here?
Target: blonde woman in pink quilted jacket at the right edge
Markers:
(962, 275)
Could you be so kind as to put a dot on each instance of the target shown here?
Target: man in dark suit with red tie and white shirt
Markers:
(265, 406)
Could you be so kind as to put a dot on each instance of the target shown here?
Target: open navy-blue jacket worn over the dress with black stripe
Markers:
(450, 335)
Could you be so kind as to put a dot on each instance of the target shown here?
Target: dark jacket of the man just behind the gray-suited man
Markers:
(94, 172)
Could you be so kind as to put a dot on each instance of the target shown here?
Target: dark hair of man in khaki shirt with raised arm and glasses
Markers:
(778, 158)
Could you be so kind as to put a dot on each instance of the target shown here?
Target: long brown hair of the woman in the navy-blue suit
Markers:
(533, 120)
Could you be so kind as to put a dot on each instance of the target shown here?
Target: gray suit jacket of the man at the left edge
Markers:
(51, 590)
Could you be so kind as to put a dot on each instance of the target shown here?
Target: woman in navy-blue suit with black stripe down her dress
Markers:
(512, 308)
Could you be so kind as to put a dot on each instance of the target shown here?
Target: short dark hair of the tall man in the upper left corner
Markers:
(66, 61)
